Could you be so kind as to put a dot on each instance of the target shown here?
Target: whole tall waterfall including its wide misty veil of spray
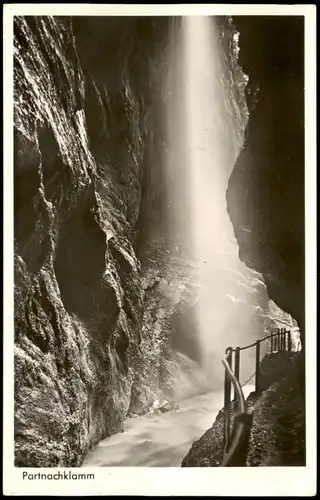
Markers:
(205, 135)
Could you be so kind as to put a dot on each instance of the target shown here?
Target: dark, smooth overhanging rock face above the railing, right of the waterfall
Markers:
(268, 179)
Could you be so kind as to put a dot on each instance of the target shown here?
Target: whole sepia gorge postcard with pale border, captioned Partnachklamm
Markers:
(160, 243)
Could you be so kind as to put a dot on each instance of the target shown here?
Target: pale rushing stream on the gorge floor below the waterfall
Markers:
(160, 440)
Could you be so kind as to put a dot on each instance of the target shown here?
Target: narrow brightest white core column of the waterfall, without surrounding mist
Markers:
(208, 174)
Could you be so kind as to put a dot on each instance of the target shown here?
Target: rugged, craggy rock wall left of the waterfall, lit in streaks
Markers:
(82, 134)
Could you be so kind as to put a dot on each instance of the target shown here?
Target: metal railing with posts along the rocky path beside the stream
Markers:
(235, 447)
